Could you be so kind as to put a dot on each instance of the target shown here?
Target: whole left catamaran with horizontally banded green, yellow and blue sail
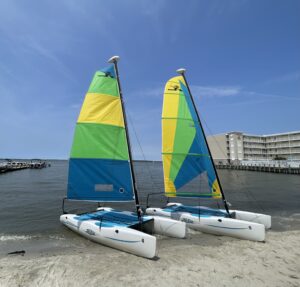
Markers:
(101, 170)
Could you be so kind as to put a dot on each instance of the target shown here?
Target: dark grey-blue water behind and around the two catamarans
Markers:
(31, 202)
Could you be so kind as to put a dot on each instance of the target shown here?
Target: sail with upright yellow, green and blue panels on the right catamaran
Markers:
(186, 159)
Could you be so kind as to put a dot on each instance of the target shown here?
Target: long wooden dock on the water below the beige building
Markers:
(261, 168)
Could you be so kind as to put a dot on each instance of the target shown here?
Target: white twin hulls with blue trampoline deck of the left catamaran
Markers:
(122, 230)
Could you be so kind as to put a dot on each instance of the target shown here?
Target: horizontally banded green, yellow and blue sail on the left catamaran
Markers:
(99, 167)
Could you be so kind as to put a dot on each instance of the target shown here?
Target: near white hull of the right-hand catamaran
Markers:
(242, 229)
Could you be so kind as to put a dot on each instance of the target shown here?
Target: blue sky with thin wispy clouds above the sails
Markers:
(242, 60)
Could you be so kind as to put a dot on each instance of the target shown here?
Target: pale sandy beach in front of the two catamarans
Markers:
(199, 260)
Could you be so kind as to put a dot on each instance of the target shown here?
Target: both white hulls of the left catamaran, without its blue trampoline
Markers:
(125, 238)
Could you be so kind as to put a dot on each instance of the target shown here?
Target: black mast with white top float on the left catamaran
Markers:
(114, 60)
